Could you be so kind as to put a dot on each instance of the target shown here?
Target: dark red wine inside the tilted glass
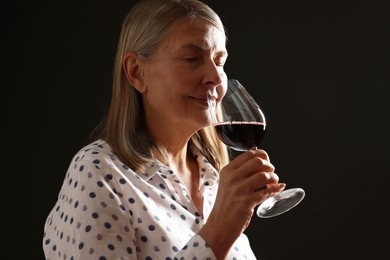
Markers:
(241, 136)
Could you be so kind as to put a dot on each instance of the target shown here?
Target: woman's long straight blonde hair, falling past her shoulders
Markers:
(143, 29)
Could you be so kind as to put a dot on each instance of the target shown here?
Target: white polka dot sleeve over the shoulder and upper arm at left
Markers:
(89, 220)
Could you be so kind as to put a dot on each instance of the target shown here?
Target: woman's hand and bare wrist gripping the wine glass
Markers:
(240, 191)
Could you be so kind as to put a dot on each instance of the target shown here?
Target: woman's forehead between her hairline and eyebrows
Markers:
(197, 33)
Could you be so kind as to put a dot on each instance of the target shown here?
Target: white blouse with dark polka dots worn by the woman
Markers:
(107, 211)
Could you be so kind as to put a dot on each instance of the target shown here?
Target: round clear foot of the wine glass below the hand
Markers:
(280, 203)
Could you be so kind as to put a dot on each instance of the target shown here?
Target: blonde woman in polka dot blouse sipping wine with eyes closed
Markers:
(155, 182)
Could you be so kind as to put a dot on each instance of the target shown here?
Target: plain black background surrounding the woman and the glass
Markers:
(319, 69)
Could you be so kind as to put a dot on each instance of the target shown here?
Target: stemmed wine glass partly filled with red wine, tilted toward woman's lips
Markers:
(241, 126)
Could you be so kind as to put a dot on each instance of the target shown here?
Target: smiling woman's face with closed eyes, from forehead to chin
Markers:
(186, 66)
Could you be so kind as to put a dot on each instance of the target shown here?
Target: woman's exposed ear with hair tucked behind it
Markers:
(132, 68)
